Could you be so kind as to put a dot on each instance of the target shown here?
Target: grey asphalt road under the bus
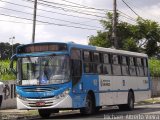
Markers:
(141, 112)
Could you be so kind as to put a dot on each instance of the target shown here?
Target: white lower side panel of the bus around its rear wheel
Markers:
(114, 89)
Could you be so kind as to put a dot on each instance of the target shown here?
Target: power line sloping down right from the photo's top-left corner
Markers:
(50, 11)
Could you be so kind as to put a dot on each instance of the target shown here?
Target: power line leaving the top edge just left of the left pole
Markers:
(66, 9)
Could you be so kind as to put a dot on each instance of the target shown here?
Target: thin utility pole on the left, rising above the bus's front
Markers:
(34, 21)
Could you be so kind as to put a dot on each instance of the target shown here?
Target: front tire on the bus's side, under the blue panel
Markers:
(89, 105)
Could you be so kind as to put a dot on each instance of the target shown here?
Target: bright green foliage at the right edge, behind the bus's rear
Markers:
(154, 66)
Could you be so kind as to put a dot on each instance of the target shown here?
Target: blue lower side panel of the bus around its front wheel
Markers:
(89, 82)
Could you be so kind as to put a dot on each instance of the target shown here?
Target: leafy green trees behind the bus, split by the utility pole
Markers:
(141, 37)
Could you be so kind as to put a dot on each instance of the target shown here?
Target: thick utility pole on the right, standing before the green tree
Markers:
(114, 24)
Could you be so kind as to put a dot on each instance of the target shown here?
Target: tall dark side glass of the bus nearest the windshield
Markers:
(76, 66)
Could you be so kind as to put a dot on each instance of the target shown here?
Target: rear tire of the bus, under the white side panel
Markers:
(130, 104)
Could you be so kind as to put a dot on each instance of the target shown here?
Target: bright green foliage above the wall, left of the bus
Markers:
(5, 73)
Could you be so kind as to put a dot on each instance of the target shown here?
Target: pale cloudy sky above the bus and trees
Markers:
(61, 12)
